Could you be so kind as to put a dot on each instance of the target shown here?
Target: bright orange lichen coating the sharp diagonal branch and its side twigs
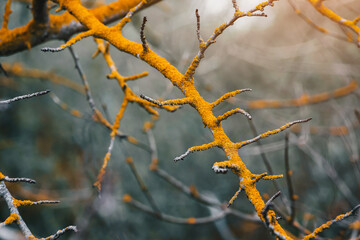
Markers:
(191, 96)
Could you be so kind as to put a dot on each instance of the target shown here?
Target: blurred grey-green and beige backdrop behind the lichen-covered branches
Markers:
(279, 57)
